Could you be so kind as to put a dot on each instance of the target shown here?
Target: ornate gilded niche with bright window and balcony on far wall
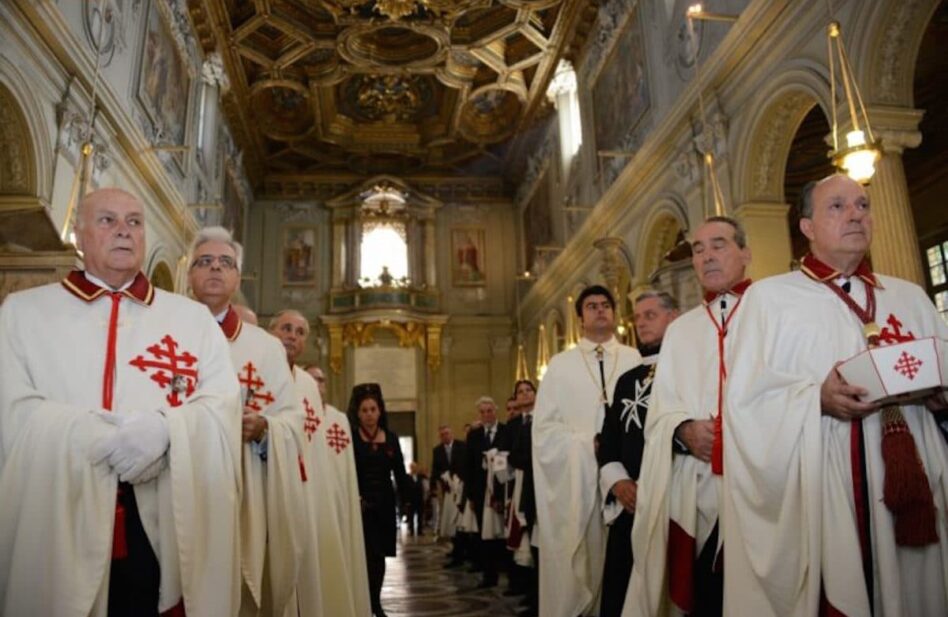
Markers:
(374, 287)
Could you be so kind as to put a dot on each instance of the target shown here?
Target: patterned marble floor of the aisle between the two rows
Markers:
(417, 585)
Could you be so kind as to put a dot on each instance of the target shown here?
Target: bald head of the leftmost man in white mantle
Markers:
(110, 230)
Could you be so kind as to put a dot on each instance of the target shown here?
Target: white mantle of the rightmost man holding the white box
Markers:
(788, 484)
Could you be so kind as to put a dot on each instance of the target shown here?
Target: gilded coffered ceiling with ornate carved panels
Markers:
(324, 90)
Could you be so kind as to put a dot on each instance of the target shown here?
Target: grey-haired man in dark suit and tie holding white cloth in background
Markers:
(490, 434)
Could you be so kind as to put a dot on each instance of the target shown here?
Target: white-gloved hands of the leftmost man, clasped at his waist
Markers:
(132, 451)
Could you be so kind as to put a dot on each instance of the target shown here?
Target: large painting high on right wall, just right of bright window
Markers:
(620, 94)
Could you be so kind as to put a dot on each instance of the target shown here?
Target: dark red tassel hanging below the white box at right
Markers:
(905, 489)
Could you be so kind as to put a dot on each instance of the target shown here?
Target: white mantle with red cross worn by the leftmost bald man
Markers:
(58, 509)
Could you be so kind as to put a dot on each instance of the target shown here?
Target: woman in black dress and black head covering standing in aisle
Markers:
(378, 456)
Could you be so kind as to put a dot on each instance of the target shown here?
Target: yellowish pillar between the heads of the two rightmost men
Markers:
(768, 236)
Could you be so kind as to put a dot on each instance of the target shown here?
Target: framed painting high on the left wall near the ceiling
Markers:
(164, 83)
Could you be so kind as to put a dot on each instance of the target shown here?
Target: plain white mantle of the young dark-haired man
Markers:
(570, 533)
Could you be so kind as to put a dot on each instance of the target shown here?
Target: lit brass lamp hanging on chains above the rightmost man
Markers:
(858, 158)
